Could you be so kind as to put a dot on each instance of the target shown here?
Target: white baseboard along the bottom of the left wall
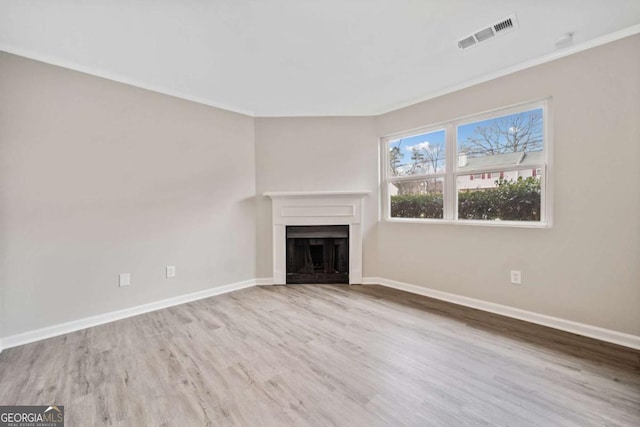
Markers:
(88, 322)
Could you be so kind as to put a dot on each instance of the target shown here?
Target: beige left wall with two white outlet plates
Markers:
(99, 178)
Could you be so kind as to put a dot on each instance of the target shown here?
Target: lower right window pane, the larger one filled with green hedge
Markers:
(515, 197)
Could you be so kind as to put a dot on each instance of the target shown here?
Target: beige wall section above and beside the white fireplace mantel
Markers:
(315, 154)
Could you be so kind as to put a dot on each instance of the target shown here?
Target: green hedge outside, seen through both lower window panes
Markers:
(510, 201)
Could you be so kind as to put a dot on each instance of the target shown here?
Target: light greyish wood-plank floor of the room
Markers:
(324, 355)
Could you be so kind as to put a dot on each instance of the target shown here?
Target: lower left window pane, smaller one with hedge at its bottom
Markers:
(417, 198)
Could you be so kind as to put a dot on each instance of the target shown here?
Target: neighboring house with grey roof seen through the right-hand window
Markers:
(479, 180)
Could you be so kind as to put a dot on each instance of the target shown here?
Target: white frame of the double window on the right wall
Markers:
(450, 196)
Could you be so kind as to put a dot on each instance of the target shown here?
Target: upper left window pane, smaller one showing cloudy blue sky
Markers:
(418, 154)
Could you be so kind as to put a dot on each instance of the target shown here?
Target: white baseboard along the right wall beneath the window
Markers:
(608, 335)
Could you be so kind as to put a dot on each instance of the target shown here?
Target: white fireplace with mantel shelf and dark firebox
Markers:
(299, 210)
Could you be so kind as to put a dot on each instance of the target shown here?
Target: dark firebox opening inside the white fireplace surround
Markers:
(318, 254)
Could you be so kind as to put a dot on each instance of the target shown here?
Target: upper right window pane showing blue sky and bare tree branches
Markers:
(502, 141)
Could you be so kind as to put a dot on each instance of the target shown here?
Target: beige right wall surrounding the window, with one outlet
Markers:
(587, 267)
